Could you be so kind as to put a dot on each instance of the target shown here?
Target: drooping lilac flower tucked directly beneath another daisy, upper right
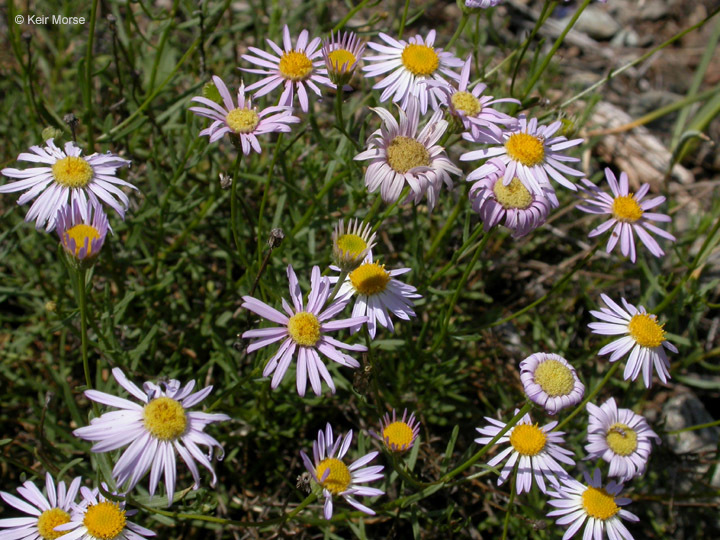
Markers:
(495, 201)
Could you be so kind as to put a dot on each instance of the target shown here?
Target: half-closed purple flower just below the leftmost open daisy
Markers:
(82, 237)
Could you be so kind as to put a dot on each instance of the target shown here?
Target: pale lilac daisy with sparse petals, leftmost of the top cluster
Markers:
(244, 122)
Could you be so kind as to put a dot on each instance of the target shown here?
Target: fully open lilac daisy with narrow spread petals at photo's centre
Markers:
(304, 329)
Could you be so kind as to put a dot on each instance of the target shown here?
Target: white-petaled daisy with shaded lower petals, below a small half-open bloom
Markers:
(378, 294)
